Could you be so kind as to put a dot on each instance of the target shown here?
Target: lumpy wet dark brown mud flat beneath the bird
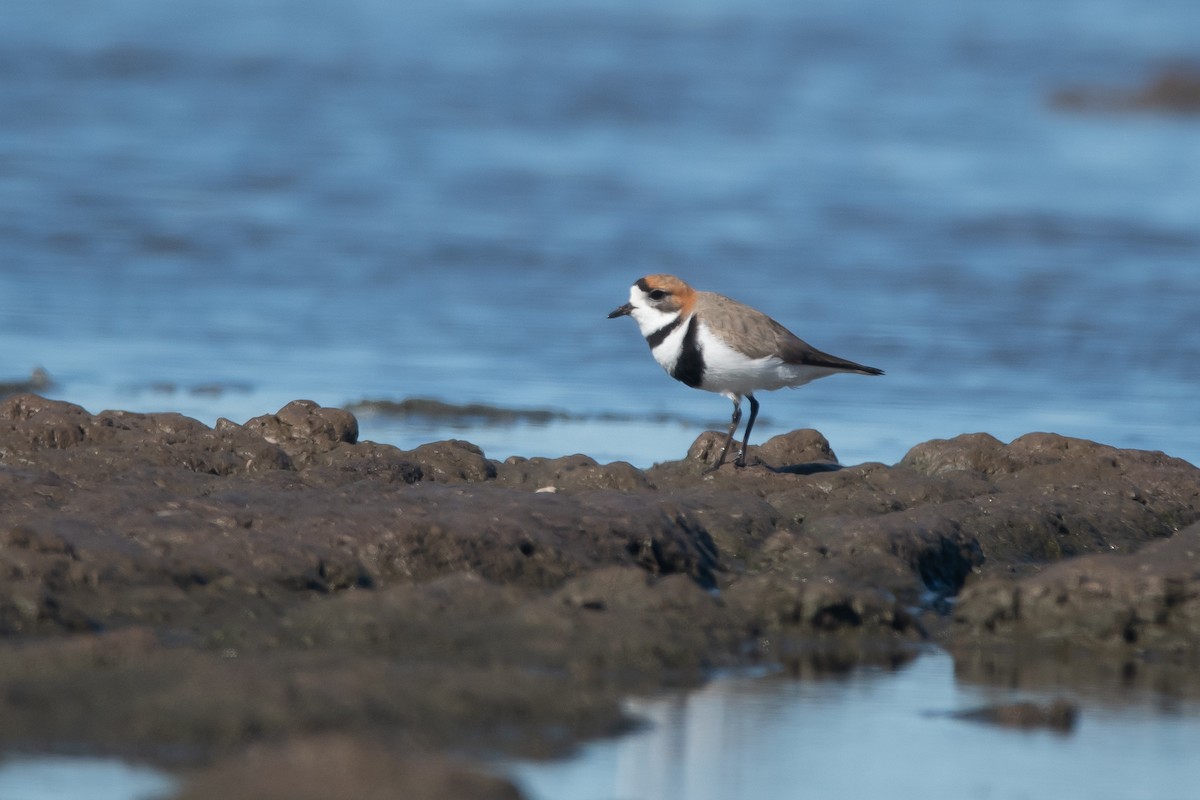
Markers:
(277, 610)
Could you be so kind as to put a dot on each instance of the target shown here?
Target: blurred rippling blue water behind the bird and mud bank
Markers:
(217, 207)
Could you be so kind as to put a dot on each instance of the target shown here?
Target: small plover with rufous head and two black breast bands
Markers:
(709, 341)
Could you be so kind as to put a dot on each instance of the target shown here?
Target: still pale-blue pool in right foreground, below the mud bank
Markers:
(879, 735)
